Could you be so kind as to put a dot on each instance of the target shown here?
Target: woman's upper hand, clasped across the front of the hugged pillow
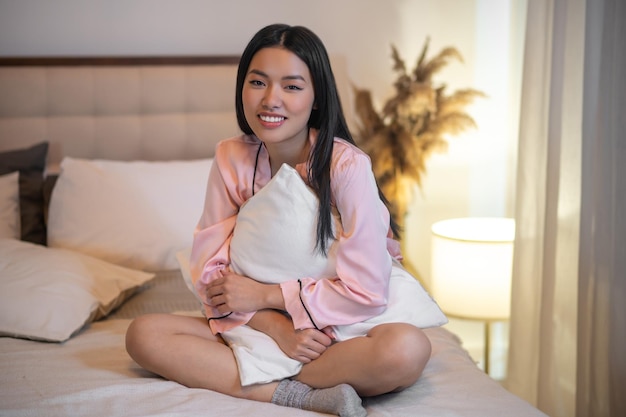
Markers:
(233, 292)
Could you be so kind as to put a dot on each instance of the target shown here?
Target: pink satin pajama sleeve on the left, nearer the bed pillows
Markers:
(210, 250)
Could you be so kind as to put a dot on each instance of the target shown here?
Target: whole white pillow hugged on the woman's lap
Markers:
(273, 241)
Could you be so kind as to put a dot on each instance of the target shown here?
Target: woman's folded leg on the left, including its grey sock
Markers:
(183, 349)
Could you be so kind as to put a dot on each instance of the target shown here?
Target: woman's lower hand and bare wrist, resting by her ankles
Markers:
(303, 345)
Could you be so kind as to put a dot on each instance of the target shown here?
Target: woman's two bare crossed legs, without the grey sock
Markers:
(183, 349)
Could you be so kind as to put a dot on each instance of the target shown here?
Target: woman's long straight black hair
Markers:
(327, 116)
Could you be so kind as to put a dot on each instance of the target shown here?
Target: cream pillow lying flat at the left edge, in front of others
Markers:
(49, 294)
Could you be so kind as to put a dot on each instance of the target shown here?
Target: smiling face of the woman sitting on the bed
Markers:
(278, 97)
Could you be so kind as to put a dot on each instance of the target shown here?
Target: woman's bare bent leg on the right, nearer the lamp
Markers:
(390, 358)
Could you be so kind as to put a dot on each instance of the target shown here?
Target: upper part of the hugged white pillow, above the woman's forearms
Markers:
(275, 234)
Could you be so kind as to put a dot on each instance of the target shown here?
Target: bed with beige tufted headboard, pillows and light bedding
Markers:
(102, 170)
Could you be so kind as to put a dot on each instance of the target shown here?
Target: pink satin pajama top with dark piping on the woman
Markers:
(365, 247)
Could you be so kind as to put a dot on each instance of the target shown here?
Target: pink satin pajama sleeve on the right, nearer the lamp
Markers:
(360, 289)
